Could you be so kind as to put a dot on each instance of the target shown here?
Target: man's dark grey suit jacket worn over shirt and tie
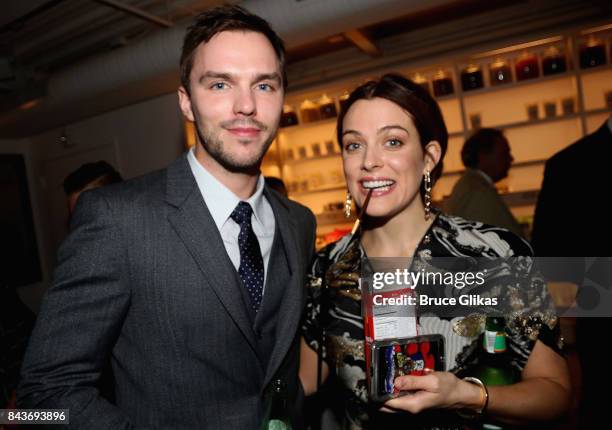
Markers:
(144, 280)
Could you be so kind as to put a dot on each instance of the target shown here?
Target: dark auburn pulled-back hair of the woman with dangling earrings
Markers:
(415, 100)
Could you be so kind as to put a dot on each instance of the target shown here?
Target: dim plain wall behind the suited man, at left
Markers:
(136, 139)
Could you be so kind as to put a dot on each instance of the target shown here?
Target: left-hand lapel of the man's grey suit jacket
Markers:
(196, 228)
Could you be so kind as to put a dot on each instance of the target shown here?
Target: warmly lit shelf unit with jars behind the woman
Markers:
(581, 100)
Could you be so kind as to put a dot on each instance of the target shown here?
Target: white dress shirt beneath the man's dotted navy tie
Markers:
(221, 202)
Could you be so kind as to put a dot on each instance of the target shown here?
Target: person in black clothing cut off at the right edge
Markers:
(570, 222)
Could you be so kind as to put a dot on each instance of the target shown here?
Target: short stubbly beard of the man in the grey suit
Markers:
(214, 146)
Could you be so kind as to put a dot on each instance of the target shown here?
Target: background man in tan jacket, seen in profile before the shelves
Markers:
(487, 158)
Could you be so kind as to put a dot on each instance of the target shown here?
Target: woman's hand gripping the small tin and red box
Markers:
(434, 390)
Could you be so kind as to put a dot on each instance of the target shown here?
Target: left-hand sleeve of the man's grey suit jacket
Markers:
(80, 319)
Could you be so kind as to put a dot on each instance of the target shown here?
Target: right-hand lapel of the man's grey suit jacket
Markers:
(290, 309)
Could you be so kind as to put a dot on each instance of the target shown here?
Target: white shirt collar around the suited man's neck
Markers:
(219, 199)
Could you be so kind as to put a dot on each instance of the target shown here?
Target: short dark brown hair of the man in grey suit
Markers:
(226, 18)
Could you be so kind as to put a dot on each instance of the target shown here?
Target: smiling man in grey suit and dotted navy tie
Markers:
(190, 278)
